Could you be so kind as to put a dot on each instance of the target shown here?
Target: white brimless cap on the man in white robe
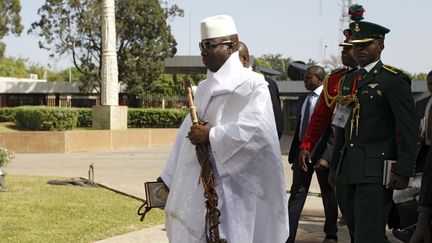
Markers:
(217, 26)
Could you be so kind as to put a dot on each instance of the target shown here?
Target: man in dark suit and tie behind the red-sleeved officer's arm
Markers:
(301, 179)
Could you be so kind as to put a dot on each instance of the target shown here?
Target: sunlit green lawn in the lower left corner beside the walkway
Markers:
(34, 211)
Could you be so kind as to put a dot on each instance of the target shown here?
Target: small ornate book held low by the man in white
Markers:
(156, 194)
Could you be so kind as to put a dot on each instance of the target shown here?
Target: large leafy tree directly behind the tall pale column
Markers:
(144, 39)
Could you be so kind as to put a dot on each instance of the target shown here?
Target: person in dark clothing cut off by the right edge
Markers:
(422, 106)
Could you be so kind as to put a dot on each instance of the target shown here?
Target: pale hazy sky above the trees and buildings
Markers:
(301, 30)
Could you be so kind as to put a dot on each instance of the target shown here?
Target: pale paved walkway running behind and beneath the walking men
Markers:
(126, 170)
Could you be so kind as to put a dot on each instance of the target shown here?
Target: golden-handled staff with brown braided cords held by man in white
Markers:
(208, 181)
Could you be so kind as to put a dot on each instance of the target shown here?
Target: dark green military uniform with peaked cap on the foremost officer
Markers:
(384, 127)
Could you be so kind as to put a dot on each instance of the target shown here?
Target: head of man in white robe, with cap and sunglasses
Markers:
(218, 41)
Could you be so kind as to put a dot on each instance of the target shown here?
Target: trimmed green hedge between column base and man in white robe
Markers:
(156, 118)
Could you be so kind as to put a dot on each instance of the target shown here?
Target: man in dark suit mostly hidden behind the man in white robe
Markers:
(272, 85)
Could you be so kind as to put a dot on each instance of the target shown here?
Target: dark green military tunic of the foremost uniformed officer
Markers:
(387, 111)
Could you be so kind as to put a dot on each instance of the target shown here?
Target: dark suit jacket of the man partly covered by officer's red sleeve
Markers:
(321, 145)
